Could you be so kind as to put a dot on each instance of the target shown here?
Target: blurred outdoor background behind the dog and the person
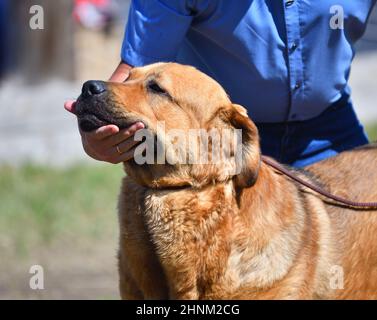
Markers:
(58, 207)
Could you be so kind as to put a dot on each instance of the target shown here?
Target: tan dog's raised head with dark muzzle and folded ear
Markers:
(191, 135)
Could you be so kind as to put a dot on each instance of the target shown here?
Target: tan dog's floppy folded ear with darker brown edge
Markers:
(248, 161)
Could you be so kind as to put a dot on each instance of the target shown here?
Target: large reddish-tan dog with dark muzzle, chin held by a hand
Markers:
(196, 231)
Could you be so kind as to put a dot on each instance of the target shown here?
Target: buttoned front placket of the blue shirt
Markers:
(294, 57)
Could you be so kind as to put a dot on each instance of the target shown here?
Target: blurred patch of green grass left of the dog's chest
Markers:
(39, 204)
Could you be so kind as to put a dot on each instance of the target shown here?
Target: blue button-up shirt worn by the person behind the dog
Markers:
(282, 60)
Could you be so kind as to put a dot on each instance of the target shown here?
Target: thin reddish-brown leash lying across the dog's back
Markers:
(346, 202)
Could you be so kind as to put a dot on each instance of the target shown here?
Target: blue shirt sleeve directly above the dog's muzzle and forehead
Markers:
(155, 30)
